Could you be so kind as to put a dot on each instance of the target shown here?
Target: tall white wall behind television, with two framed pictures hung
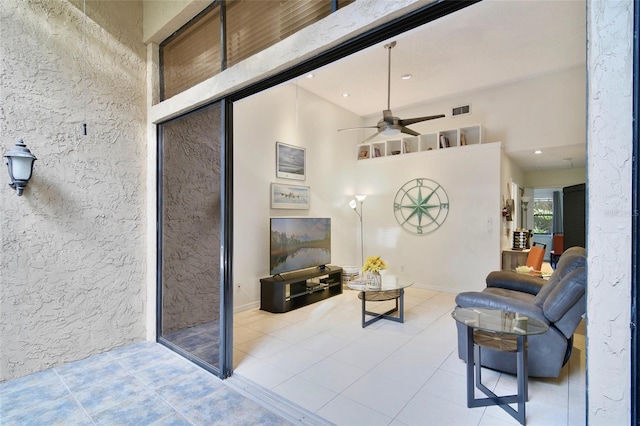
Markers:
(293, 116)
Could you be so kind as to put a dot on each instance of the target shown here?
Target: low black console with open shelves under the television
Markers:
(283, 293)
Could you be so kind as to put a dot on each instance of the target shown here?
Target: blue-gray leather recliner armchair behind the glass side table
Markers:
(559, 302)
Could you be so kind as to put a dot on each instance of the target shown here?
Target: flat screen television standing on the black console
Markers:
(299, 243)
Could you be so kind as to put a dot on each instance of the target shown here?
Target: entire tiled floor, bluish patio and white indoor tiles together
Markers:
(318, 357)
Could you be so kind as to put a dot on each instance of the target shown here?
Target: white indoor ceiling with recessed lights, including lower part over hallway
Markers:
(491, 43)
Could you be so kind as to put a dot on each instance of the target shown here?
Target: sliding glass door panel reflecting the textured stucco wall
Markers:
(191, 171)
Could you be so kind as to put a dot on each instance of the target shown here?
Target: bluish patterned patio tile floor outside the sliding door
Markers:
(141, 384)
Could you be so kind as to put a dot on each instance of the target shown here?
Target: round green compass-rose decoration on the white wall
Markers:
(421, 206)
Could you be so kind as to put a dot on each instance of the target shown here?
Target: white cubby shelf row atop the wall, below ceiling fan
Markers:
(443, 139)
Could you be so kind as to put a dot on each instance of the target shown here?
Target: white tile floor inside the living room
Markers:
(389, 373)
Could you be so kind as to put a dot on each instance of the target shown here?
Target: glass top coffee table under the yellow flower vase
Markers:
(390, 290)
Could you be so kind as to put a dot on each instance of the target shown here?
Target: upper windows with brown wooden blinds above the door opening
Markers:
(193, 53)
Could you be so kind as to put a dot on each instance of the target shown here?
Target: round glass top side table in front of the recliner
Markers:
(503, 331)
